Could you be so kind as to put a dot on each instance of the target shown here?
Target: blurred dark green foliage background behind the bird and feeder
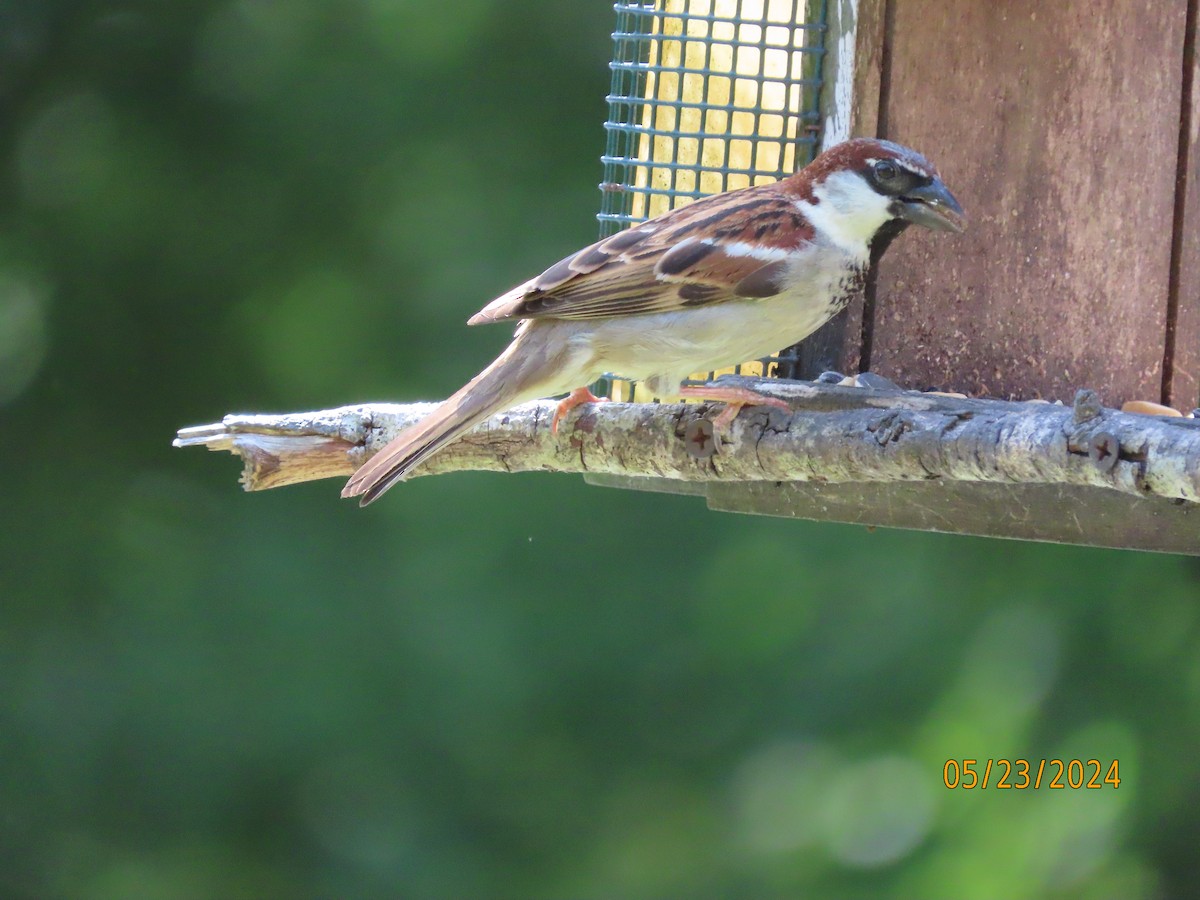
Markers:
(484, 686)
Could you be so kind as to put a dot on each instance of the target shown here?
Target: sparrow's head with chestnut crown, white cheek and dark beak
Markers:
(855, 189)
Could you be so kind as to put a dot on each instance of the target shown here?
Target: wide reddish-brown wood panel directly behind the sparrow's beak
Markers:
(1058, 128)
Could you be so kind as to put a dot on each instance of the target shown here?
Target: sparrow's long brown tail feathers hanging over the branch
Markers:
(513, 379)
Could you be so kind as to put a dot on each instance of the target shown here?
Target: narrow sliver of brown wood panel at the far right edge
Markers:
(1185, 383)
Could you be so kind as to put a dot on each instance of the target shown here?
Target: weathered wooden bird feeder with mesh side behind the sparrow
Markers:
(1082, 266)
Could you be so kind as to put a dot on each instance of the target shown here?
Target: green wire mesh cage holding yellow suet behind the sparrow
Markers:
(709, 97)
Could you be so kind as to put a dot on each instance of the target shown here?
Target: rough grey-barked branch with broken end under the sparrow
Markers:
(835, 435)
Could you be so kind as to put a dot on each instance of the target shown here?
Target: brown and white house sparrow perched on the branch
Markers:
(730, 278)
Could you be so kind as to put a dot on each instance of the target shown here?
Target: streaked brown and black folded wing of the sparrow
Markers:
(661, 266)
